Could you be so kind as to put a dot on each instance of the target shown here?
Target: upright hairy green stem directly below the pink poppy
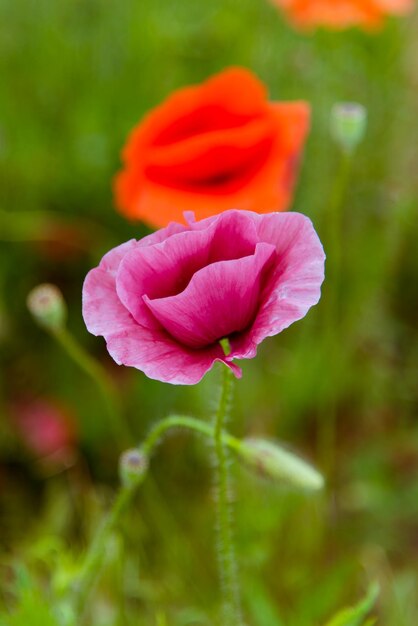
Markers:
(231, 605)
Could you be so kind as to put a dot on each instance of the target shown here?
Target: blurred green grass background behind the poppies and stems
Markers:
(76, 75)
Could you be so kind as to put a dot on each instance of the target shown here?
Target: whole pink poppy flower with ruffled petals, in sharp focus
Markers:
(163, 303)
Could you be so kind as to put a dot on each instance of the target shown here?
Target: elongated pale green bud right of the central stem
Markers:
(280, 465)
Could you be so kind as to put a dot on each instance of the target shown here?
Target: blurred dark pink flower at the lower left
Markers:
(45, 428)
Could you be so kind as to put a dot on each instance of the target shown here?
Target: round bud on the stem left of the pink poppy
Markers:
(47, 305)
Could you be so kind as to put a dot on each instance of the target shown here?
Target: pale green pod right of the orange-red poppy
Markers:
(348, 124)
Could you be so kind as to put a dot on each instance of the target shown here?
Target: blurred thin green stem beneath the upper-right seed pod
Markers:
(332, 325)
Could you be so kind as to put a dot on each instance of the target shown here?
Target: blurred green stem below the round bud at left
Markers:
(103, 381)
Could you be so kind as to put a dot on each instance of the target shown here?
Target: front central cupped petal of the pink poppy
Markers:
(220, 299)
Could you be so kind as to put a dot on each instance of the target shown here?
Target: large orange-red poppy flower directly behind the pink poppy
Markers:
(212, 147)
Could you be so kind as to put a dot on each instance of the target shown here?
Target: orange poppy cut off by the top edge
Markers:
(341, 14)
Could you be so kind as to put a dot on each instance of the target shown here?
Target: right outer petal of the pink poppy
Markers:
(293, 287)
